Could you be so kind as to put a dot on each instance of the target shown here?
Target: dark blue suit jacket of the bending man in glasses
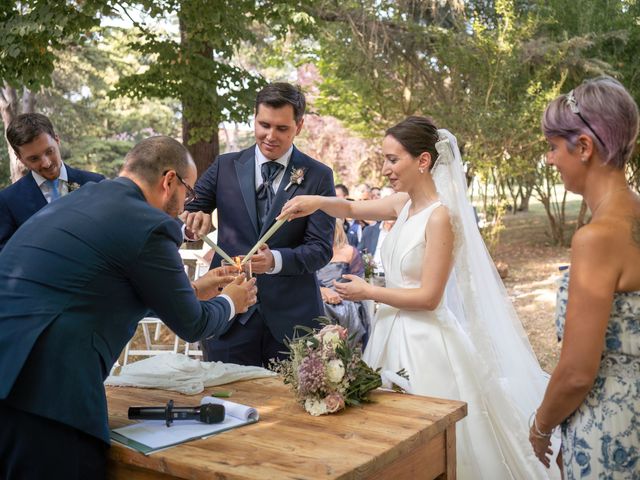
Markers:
(76, 279)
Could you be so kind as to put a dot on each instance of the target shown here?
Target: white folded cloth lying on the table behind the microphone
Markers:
(182, 374)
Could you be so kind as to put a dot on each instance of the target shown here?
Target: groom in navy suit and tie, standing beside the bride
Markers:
(249, 189)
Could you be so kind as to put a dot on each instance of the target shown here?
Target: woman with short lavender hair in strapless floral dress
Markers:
(594, 392)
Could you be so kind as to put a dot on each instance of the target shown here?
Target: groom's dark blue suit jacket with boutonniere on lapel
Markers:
(291, 297)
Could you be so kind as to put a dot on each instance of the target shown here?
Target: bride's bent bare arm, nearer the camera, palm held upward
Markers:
(436, 266)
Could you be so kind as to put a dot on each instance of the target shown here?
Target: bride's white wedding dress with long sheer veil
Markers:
(440, 350)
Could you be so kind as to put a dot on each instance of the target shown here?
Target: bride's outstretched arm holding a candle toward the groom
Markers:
(383, 209)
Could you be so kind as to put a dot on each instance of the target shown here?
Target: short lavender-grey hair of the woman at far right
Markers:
(600, 108)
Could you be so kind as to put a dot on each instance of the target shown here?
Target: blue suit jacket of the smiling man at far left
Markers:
(22, 199)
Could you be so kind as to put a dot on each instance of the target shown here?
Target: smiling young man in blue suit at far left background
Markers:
(33, 139)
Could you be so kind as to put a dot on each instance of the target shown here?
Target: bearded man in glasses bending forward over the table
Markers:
(76, 279)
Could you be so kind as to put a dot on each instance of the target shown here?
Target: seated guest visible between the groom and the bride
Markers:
(346, 260)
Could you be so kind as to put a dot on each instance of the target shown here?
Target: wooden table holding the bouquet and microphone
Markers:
(397, 437)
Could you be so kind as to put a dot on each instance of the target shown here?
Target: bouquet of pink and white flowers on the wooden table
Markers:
(326, 374)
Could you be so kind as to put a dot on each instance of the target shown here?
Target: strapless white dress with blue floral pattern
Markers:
(601, 439)
